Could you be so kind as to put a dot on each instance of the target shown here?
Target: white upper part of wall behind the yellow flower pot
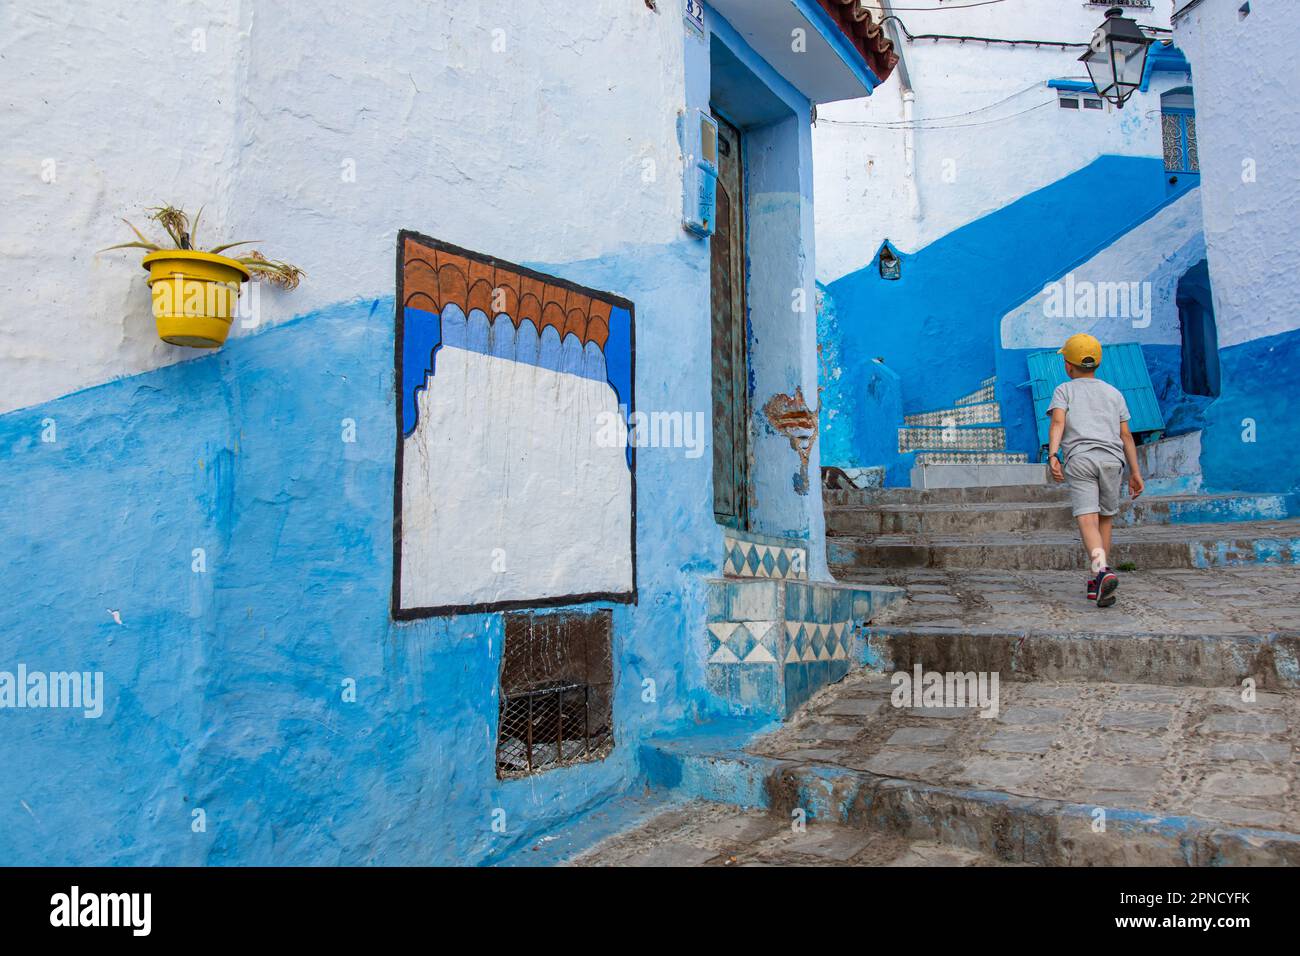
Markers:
(254, 109)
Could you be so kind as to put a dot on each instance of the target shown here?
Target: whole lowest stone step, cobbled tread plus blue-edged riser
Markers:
(1051, 775)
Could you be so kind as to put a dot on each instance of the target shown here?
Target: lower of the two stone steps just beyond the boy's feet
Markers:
(1149, 547)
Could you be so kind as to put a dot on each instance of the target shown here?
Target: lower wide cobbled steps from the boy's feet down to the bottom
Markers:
(1158, 733)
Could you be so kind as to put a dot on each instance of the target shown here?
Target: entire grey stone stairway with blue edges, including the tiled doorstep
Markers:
(1159, 732)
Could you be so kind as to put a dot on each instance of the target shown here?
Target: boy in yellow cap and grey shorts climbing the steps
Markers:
(1090, 427)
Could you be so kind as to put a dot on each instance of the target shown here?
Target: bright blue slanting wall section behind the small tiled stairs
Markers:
(938, 328)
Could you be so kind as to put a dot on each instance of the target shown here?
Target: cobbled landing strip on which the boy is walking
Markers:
(1219, 602)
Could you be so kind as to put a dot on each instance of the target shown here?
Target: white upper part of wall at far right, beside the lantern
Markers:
(1249, 133)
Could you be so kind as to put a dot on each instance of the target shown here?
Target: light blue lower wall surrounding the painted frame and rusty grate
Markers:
(224, 690)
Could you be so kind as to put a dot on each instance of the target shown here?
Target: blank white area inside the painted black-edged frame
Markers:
(525, 504)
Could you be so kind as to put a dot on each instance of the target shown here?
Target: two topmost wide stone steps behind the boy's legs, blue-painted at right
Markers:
(1030, 527)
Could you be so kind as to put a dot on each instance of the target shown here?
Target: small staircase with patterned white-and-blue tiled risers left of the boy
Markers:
(964, 445)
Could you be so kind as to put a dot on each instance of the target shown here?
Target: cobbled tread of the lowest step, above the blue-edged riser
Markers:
(1194, 751)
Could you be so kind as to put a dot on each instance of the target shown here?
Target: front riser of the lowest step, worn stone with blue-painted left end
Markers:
(1015, 829)
